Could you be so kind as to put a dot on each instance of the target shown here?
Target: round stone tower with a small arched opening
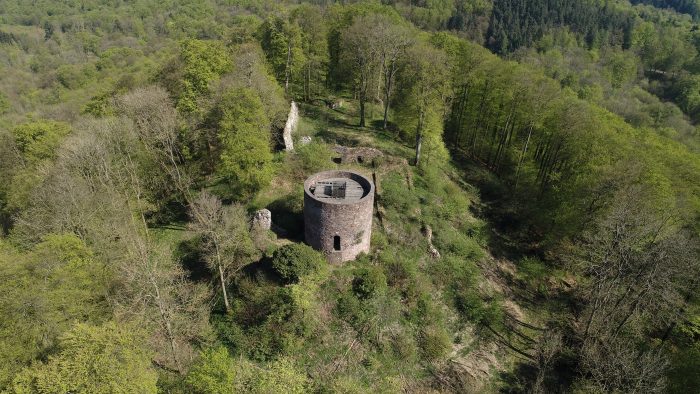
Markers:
(338, 208)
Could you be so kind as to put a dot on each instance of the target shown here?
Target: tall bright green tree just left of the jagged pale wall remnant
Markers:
(244, 135)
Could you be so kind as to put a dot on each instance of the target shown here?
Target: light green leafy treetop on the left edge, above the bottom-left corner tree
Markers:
(43, 293)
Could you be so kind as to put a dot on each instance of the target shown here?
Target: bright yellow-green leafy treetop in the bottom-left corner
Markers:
(94, 359)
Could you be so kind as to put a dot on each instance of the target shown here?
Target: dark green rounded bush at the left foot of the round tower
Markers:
(293, 261)
